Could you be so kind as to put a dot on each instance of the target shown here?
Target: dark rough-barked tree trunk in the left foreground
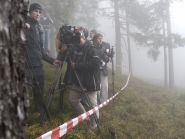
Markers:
(13, 94)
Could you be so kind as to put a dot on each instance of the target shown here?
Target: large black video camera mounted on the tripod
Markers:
(67, 36)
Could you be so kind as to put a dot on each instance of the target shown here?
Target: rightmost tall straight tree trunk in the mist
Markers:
(170, 49)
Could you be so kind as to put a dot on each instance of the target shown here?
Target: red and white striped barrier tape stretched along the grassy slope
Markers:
(59, 131)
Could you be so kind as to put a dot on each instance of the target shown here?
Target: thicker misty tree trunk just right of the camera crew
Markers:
(118, 37)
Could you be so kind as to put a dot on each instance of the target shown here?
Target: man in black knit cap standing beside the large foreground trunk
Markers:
(35, 54)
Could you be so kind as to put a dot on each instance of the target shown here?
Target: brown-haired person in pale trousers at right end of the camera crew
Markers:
(103, 49)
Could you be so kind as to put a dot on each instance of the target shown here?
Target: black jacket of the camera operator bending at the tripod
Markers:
(87, 64)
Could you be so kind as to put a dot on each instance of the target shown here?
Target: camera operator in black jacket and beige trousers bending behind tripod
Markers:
(86, 63)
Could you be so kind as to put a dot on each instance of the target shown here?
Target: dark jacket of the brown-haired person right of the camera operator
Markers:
(102, 52)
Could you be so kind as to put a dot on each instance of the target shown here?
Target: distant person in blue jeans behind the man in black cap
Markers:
(45, 21)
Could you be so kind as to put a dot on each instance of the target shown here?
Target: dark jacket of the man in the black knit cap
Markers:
(34, 45)
